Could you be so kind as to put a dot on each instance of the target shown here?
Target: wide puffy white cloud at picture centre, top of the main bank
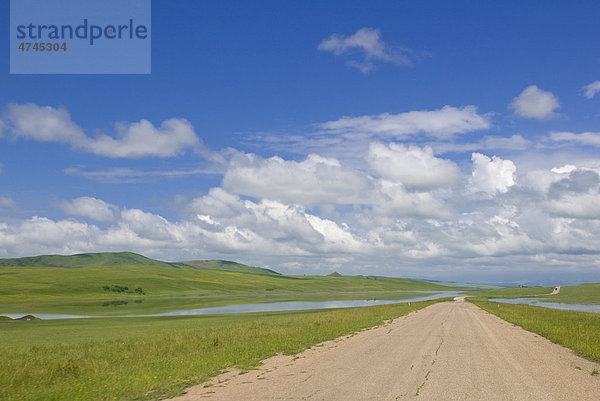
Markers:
(313, 180)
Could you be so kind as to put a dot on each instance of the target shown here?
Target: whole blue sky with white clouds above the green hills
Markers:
(449, 140)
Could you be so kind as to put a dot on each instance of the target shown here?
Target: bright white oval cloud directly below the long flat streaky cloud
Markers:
(416, 168)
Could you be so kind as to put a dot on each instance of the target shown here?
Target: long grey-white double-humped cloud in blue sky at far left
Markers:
(132, 140)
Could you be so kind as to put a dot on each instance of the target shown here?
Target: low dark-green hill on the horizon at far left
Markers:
(85, 260)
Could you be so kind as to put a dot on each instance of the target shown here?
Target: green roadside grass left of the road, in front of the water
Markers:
(153, 358)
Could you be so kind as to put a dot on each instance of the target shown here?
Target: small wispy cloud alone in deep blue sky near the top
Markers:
(368, 43)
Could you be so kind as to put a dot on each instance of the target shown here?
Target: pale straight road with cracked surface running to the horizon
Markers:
(448, 351)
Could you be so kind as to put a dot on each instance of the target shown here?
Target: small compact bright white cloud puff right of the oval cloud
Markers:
(492, 175)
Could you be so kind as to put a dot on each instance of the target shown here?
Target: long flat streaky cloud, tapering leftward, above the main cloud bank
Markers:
(443, 123)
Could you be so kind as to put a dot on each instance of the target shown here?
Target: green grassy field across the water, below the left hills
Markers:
(158, 287)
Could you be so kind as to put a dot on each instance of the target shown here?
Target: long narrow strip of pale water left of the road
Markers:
(264, 307)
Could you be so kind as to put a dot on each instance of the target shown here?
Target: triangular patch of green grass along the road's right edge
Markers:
(579, 331)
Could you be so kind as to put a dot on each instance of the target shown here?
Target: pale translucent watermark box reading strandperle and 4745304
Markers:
(80, 37)
